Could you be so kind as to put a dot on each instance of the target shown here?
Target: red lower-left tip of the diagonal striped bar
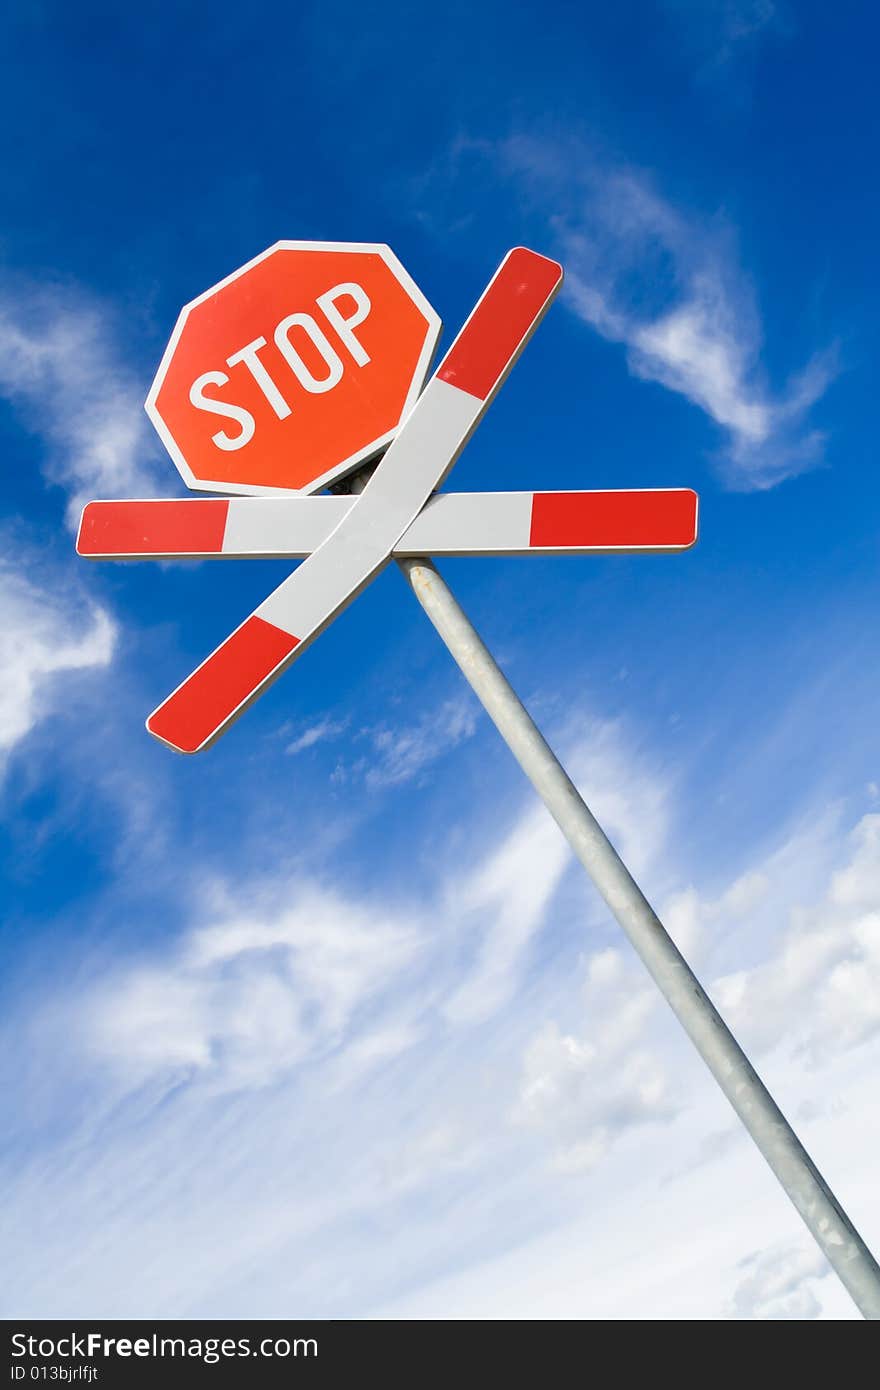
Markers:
(222, 686)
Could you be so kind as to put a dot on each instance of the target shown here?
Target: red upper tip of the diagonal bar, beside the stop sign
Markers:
(503, 322)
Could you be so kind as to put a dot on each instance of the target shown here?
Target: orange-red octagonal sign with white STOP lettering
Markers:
(294, 370)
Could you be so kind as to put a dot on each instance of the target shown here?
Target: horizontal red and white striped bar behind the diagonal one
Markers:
(451, 523)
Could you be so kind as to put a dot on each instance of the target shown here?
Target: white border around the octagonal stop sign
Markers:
(347, 466)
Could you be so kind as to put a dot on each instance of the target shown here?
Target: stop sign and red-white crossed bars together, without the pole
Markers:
(293, 373)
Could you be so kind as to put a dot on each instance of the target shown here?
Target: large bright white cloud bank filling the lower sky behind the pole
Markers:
(291, 1100)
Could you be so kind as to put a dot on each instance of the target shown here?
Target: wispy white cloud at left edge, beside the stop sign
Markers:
(63, 366)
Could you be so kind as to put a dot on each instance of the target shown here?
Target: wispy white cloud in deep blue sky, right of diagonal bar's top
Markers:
(671, 291)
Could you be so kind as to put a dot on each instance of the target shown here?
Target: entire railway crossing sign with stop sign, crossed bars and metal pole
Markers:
(298, 370)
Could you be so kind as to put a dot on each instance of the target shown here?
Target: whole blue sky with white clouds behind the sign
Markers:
(325, 1021)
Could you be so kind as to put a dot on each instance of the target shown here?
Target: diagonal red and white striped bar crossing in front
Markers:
(416, 464)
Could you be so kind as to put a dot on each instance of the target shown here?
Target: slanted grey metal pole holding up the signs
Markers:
(821, 1211)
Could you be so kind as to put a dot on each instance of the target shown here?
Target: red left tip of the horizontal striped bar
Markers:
(193, 528)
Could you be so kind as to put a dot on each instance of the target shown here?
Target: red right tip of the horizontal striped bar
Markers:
(664, 521)
